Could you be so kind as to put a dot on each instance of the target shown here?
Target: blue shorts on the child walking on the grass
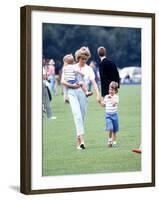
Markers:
(112, 122)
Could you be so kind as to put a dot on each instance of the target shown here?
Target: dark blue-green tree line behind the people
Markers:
(123, 44)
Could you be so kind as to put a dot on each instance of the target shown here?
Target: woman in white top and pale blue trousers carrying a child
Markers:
(77, 98)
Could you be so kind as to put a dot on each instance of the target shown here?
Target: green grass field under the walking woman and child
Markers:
(60, 156)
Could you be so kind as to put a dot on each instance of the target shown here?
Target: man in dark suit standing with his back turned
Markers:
(108, 71)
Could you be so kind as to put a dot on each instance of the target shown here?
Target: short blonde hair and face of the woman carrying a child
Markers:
(82, 52)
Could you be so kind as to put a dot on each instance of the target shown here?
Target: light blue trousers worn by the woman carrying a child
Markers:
(78, 103)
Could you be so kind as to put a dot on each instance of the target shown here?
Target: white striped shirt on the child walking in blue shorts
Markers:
(110, 107)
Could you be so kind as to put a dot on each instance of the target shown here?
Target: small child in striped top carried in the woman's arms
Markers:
(73, 75)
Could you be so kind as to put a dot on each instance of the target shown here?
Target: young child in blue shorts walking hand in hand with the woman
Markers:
(111, 102)
